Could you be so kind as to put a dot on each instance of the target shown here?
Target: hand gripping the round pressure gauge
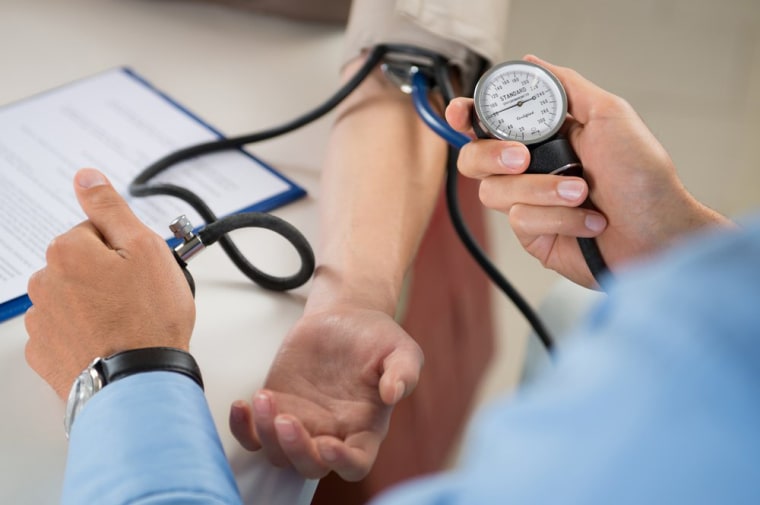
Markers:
(629, 177)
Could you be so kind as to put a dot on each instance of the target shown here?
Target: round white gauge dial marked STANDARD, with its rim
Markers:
(521, 101)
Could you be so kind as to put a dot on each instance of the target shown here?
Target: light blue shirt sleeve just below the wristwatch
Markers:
(147, 439)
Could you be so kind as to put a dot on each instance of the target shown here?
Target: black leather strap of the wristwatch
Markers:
(150, 359)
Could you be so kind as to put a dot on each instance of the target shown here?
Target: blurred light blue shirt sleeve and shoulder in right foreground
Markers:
(655, 399)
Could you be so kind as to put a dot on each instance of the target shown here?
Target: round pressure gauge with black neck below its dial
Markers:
(524, 102)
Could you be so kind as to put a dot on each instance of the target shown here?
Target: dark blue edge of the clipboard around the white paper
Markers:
(21, 304)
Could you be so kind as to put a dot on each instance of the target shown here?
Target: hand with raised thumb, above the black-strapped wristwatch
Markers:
(110, 284)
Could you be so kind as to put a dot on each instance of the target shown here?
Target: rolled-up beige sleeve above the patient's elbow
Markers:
(453, 28)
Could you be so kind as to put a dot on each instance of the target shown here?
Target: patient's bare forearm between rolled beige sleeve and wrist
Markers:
(382, 176)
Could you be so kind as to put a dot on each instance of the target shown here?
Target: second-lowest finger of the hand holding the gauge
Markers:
(502, 192)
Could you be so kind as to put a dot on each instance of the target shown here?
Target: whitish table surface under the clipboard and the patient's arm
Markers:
(240, 72)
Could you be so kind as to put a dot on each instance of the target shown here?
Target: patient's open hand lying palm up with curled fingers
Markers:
(328, 398)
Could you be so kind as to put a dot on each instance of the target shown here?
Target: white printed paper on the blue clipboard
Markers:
(116, 123)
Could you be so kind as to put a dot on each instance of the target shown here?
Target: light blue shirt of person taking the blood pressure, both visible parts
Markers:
(653, 400)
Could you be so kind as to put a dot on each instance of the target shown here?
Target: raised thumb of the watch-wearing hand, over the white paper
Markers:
(105, 207)
